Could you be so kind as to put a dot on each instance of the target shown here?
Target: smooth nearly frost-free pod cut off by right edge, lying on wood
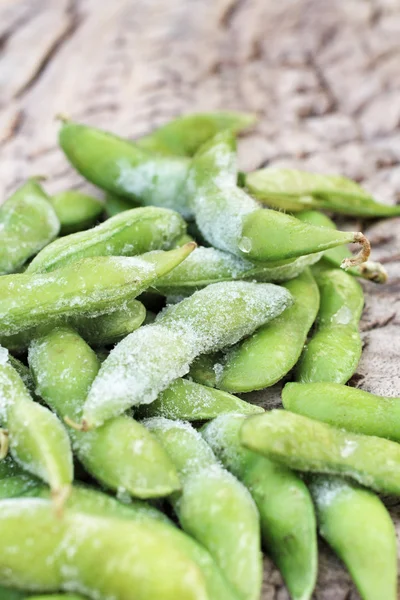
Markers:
(345, 407)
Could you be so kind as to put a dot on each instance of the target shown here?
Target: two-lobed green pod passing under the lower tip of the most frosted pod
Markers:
(121, 454)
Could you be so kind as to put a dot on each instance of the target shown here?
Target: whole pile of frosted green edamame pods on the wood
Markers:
(129, 469)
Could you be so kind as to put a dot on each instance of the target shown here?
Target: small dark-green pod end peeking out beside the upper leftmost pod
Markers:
(76, 211)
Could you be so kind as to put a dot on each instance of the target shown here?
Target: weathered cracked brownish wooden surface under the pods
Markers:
(323, 77)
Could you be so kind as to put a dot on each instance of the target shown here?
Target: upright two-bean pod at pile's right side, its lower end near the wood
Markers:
(334, 350)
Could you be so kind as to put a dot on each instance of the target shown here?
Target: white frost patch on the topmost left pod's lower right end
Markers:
(160, 183)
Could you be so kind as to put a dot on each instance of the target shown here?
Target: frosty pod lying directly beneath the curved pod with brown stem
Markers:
(209, 265)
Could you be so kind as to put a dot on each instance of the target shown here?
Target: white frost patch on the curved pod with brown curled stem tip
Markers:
(220, 215)
